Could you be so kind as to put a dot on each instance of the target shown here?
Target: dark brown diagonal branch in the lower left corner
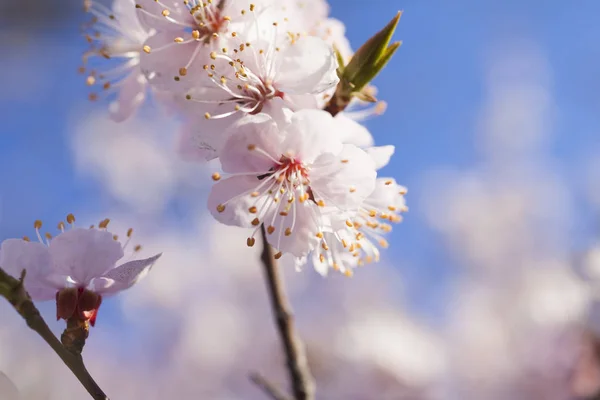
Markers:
(12, 289)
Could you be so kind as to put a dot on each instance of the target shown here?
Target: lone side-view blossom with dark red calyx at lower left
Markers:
(77, 267)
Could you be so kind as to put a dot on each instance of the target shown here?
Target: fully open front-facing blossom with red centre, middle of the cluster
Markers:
(284, 173)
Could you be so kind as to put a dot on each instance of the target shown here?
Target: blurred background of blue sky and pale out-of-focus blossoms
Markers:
(489, 287)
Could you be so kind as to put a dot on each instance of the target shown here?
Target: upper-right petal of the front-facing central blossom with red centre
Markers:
(309, 134)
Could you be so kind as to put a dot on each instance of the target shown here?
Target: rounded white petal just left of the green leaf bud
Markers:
(307, 66)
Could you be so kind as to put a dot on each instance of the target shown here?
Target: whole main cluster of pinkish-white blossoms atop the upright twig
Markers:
(251, 82)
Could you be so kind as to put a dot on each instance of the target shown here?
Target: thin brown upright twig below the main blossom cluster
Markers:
(300, 377)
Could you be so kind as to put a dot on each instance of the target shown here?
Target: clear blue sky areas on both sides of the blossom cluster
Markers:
(434, 86)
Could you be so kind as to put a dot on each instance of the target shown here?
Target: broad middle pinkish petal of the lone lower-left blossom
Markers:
(84, 254)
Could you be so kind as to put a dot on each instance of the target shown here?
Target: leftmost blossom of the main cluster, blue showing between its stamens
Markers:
(116, 35)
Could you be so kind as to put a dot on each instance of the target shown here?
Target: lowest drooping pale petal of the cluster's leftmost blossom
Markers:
(131, 95)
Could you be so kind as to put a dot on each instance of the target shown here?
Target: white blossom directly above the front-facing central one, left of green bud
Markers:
(260, 70)
